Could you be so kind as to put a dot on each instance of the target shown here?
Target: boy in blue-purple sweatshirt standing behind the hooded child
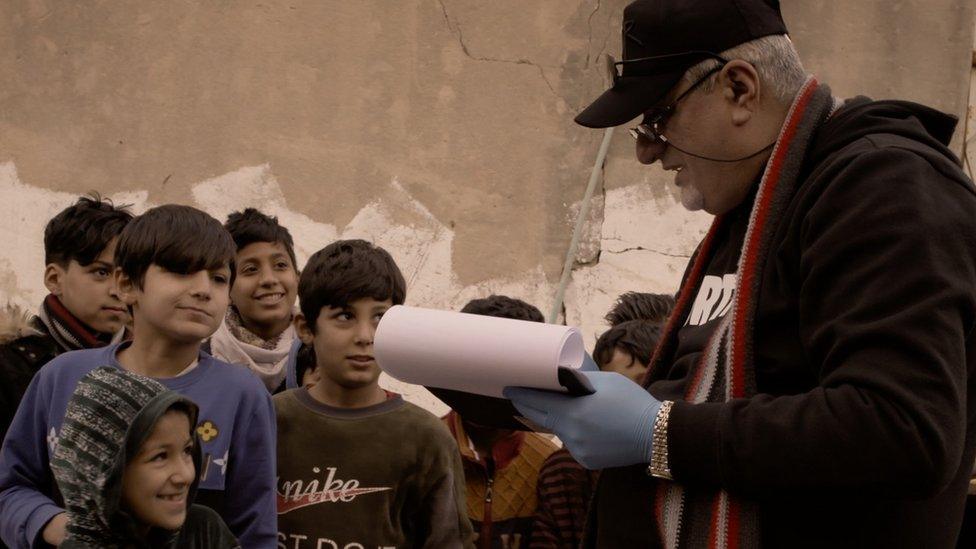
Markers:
(173, 273)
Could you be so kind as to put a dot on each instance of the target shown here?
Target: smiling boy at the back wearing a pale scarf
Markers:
(257, 331)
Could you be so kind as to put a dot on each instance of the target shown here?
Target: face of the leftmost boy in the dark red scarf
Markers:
(88, 291)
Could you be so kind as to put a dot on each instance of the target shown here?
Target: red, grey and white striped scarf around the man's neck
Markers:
(688, 517)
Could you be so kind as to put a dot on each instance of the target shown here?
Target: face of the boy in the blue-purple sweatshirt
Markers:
(179, 307)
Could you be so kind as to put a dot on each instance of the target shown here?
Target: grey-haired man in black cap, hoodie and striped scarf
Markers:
(815, 385)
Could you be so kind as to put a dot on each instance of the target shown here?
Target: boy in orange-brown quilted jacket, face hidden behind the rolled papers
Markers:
(501, 466)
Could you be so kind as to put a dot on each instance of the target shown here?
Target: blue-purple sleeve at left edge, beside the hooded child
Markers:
(25, 477)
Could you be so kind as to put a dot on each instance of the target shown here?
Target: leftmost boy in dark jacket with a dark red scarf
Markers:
(82, 310)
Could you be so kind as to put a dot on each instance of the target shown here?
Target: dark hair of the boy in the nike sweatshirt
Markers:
(346, 271)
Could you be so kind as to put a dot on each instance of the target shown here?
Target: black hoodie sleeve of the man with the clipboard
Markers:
(886, 317)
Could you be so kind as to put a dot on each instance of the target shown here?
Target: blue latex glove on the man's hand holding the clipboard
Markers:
(611, 428)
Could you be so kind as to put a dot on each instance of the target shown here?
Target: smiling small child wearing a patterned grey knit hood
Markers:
(126, 465)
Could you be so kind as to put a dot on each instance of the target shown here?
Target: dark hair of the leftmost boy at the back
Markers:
(82, 231)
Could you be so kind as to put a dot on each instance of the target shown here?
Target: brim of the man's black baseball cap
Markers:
(627, 100)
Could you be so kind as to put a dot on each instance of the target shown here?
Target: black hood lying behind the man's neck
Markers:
(860, 116)
